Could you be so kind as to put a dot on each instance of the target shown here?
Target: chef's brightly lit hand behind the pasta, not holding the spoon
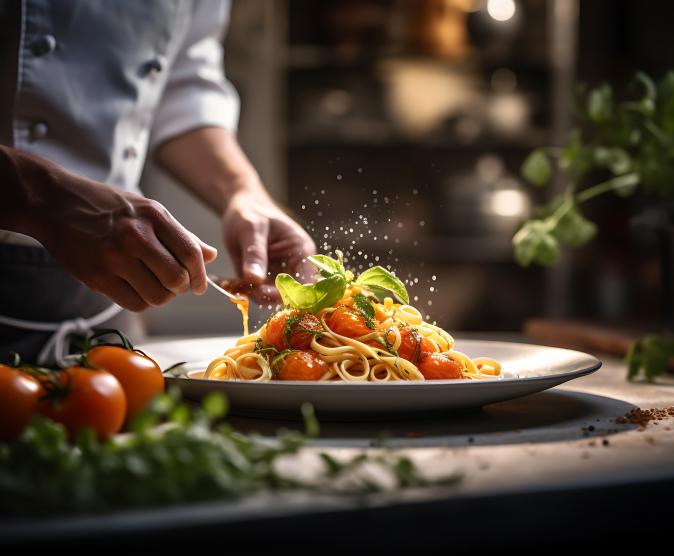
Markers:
(263, 241)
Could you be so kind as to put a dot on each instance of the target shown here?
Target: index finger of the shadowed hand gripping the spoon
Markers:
(183, 246)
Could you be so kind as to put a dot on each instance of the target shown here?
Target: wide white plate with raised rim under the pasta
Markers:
(533, 369)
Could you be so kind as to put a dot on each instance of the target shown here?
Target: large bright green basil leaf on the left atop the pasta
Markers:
(312, 297)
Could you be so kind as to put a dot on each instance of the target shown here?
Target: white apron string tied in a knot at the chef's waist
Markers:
(57, 345)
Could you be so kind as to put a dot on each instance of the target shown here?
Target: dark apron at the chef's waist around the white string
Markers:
(34, 287)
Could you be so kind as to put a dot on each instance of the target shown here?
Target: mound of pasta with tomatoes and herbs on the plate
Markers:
(354, 339)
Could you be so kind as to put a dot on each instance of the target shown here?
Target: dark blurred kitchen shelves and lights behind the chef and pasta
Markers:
(394, 130)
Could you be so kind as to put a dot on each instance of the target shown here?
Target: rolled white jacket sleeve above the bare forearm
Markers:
(197, 94)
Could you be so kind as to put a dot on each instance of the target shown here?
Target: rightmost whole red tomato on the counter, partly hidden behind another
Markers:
(140, 376)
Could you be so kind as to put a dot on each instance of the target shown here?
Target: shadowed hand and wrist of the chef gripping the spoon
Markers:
(117, 243)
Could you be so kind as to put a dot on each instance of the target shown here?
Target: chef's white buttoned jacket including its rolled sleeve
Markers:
(100, 83)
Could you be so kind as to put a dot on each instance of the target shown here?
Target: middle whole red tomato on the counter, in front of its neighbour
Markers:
(95, 399)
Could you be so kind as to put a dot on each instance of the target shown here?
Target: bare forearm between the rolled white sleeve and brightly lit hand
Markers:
(210, 162)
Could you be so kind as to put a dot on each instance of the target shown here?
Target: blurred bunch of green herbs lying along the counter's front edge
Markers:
(196, 459)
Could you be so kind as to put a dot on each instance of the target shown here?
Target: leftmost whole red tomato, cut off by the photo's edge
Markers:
(19, 394)
